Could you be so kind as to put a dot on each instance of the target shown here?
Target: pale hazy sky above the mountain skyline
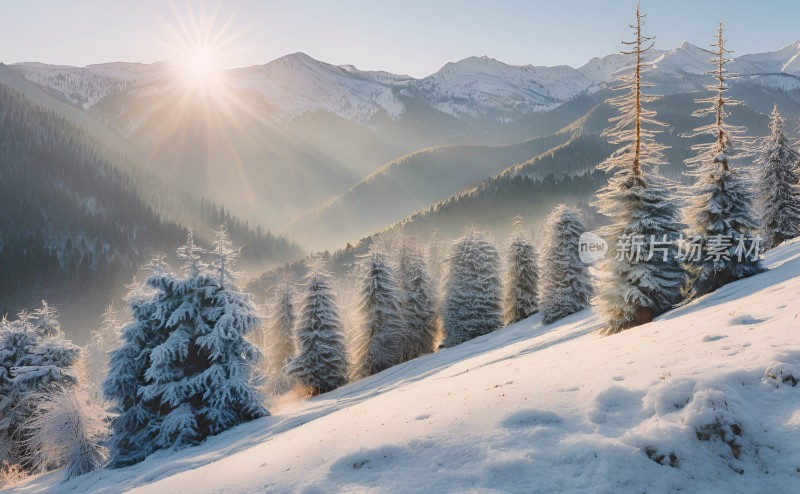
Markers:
(414, 37)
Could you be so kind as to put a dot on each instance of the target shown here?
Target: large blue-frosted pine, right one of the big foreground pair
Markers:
(202, 373)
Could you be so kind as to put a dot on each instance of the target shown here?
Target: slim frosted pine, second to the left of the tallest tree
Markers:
(521, 289)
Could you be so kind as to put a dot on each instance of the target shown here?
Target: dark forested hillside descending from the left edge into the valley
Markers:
(75, 227)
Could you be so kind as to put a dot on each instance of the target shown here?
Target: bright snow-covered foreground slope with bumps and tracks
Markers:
(700, 400)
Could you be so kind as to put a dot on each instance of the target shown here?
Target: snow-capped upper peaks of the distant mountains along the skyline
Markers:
(474, 87)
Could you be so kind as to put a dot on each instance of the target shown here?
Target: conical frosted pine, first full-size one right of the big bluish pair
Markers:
(321, 363)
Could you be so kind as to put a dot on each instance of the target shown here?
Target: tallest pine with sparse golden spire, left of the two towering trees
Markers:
(637, 284)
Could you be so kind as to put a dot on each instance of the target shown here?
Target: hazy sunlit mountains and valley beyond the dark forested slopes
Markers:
(297, 143)
